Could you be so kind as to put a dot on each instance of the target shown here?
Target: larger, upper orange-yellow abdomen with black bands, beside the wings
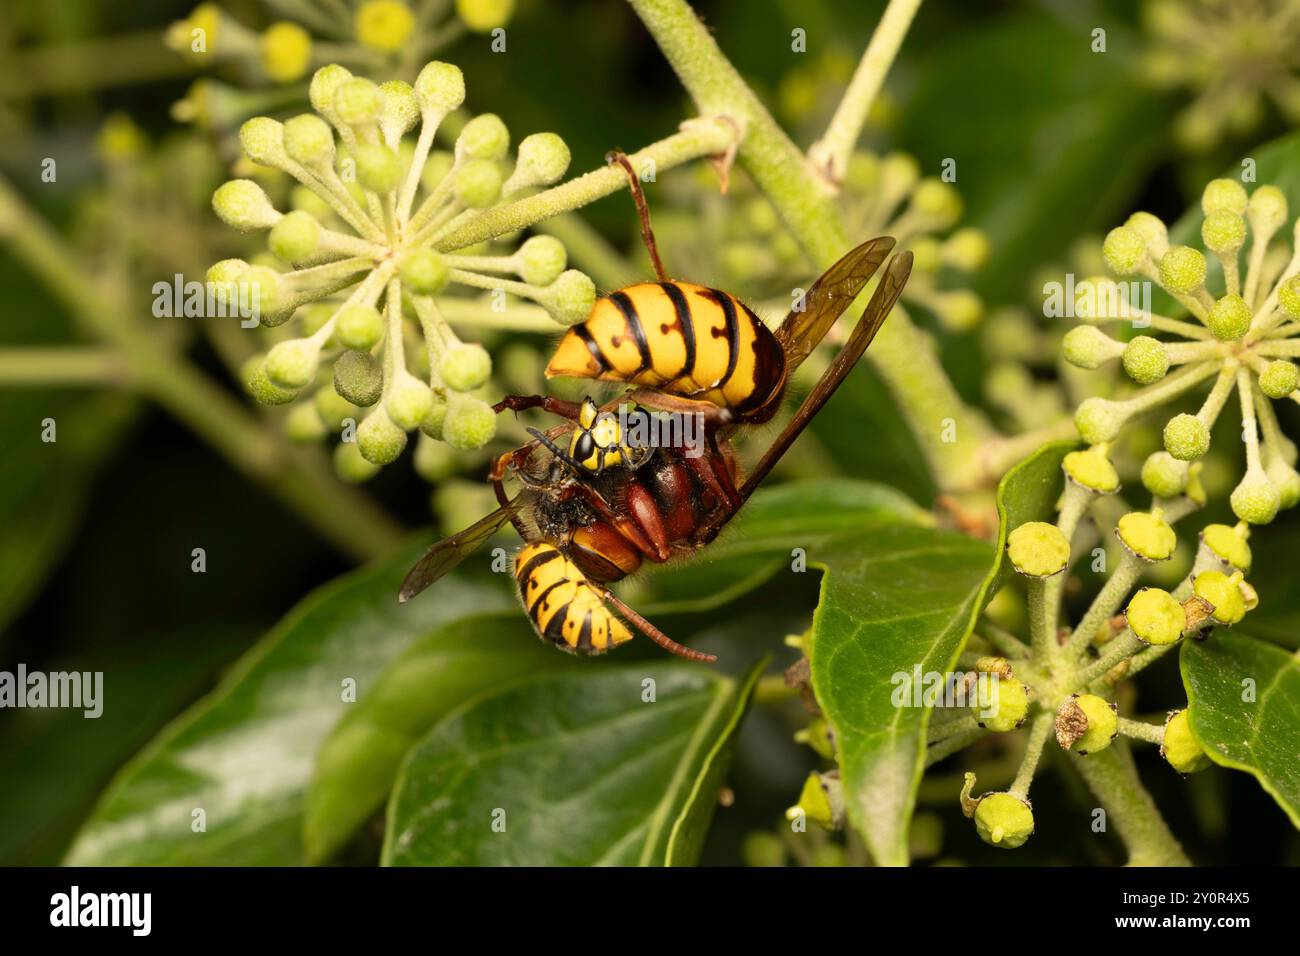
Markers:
(677, 338)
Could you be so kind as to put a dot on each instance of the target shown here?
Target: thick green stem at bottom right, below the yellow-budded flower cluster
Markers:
(1113, 778)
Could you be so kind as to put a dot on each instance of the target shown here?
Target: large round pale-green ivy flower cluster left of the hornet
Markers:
(362, 347)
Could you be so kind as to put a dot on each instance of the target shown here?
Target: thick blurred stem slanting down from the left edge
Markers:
(297, 477)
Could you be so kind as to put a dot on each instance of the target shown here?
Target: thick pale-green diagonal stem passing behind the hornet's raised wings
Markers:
(950, 431)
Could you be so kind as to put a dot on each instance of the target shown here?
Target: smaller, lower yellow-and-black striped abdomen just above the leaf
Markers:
(564, 605)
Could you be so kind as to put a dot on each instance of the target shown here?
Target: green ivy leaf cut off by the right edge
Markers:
(1260, 737)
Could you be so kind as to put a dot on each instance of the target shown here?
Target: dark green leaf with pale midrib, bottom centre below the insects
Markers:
(578, 768)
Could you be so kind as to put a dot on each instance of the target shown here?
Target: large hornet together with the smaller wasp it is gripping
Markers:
(595, 503)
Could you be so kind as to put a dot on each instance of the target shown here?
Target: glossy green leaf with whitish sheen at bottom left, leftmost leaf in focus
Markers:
(245, 754)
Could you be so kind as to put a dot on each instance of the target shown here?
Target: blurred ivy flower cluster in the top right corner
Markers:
(1234, 57)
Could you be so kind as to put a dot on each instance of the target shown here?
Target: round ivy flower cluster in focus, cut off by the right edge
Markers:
(1242, 341)
